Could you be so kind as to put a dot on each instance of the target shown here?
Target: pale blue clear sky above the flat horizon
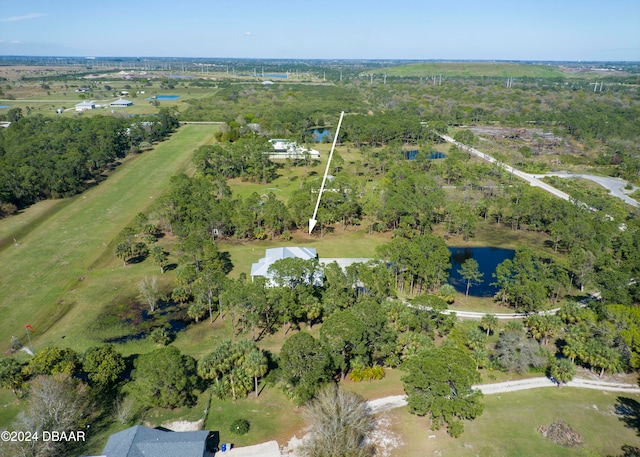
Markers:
(556, 30)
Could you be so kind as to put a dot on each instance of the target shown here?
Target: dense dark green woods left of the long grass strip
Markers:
(42, 157)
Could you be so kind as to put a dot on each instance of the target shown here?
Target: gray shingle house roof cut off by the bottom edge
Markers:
(141, 441)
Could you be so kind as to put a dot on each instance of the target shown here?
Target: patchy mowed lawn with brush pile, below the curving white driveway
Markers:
(508, 426)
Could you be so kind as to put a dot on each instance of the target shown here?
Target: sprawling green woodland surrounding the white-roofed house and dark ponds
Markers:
(387, 313)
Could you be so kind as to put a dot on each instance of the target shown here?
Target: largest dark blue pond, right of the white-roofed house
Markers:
(488, 259)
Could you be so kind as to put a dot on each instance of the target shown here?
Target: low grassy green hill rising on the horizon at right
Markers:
(474, 69)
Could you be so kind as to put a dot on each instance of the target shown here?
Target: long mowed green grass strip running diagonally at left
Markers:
(54, 258)
